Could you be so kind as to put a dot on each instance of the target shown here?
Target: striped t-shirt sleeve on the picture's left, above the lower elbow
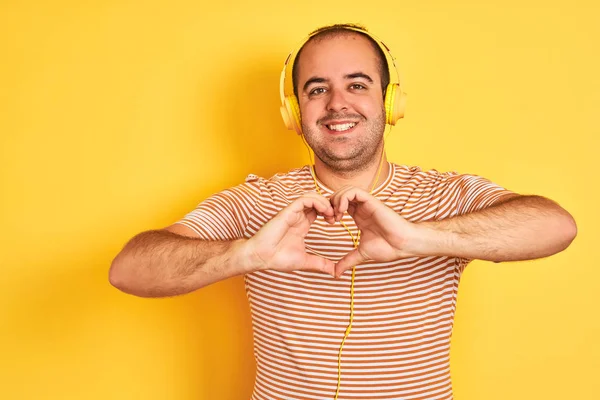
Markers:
(225, 215)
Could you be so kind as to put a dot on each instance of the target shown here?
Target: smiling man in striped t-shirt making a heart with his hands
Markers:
(335, 314)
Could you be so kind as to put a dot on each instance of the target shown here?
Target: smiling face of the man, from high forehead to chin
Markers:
(341, 101)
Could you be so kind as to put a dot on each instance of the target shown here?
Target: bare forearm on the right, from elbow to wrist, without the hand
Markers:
(521, 228)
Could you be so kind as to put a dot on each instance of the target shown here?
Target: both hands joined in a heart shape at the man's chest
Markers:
(384, 235)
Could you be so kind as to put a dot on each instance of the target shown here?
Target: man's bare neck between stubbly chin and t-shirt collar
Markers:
(364, 179)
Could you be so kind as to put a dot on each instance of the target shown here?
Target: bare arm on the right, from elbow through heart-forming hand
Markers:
(516, 228)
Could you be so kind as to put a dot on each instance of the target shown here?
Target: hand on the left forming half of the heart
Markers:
(279, 244)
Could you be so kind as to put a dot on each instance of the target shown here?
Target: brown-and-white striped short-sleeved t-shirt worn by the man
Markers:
(399, 346)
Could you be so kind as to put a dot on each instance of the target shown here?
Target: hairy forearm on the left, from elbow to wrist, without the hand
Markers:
(161, 263)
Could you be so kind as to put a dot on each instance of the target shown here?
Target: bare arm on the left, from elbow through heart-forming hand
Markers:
(175, 261)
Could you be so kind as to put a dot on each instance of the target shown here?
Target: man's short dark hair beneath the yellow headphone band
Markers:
(344, 29)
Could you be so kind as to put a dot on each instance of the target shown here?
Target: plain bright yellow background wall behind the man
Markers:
(120, 116)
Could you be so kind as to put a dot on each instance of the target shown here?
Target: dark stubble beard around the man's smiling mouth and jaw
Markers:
(365, 151)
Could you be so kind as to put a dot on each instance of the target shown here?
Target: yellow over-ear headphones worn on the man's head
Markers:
(395, 98)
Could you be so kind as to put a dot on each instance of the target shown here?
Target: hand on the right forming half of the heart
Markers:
(384, 234)
